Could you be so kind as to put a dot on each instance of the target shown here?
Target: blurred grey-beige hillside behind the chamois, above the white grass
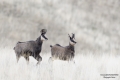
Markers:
(96, 23)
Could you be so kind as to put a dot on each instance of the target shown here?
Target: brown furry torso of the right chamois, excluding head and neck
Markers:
(63, 53)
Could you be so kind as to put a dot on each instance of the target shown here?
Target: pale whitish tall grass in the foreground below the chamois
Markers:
(86, 67)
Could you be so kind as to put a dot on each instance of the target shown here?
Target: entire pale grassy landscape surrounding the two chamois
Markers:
(96, 24)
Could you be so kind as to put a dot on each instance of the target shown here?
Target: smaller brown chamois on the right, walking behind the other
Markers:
(63, 53)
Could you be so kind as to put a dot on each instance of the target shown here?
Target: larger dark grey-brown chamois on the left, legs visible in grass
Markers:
(31, 48)
